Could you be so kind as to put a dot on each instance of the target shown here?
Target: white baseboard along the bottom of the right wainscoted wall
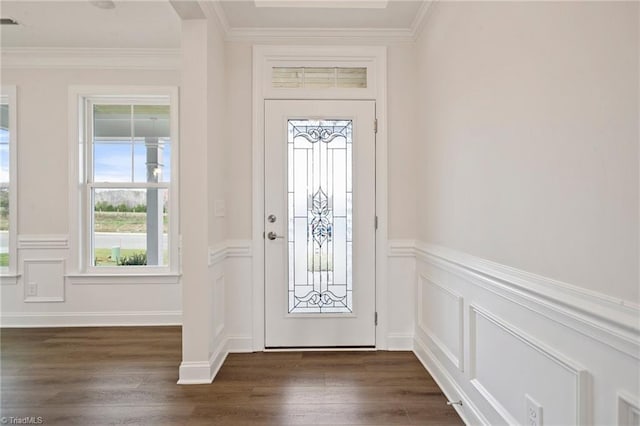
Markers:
(468, 412)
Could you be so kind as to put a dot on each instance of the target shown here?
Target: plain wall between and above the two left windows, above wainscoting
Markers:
(43, 147)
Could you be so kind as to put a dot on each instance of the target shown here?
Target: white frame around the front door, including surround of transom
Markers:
(374, 58)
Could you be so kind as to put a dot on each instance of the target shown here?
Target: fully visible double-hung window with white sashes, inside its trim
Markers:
(127, 195)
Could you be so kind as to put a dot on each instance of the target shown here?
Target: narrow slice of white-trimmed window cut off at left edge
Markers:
(8, 173)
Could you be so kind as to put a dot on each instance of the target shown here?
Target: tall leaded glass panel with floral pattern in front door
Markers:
(320, 199)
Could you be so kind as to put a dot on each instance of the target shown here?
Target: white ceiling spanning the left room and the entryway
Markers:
(156, 23)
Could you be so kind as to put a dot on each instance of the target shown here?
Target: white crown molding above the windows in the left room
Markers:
(90, 58)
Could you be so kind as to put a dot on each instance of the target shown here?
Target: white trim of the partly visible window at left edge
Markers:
(10, 274)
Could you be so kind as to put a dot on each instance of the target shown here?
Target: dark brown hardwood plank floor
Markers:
(127, 375)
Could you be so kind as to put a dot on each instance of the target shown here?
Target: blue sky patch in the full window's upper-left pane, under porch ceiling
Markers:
(112, 161)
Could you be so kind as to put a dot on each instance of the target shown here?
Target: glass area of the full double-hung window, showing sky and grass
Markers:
(129, 184)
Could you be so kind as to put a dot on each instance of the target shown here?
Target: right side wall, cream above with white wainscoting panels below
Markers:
(527, 243)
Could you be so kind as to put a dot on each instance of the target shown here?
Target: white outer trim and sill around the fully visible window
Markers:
(81, 272)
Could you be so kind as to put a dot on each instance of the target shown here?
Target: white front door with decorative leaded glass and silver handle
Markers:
(319, 223)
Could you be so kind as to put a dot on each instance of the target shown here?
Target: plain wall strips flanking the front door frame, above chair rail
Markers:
(402, 68)
